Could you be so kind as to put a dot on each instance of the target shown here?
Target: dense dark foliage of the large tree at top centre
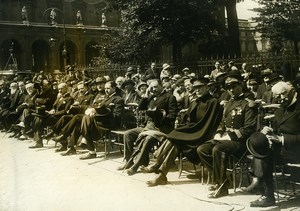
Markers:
(148, 24)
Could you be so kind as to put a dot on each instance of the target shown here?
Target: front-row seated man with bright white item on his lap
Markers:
(100, 120)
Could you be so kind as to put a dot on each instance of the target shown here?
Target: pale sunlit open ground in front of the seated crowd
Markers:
(40, 179)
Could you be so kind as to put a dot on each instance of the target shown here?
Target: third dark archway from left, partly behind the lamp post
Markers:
(70, 57)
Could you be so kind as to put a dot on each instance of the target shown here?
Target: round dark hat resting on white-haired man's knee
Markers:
(258, 145)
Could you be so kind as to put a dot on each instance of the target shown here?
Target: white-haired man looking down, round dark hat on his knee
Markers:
(285, 139)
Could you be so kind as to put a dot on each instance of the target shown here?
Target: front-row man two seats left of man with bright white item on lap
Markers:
(43, 118)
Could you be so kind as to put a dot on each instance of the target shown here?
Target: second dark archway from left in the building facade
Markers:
(40, 56)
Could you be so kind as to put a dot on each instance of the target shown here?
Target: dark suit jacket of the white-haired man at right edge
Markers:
(287, 123)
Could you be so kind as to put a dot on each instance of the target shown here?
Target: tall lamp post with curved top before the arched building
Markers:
(53, 22)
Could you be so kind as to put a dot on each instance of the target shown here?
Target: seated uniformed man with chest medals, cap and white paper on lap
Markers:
(238, 123)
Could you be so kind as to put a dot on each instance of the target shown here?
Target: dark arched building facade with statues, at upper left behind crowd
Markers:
(30, 40)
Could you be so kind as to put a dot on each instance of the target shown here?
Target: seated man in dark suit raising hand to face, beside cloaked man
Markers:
(161, 113)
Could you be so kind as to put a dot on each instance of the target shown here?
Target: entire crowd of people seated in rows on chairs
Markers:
(206, 119)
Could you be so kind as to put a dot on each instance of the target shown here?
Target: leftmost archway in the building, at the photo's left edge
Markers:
(10, 55)
